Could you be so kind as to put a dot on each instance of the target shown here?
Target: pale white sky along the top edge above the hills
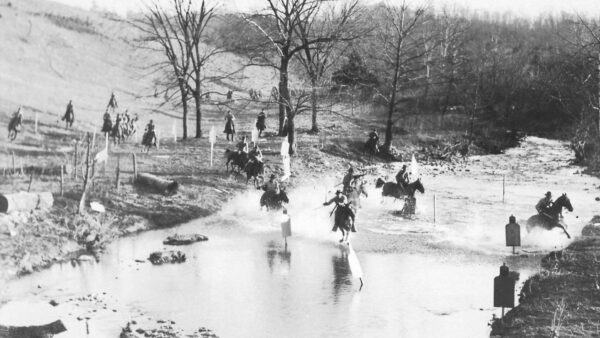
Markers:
(525, 8)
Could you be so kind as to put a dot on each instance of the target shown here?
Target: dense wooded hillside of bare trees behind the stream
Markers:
(492, 71)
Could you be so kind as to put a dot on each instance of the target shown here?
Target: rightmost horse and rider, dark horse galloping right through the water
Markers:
(550, 213)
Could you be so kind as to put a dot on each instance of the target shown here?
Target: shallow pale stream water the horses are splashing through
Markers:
(421, 279)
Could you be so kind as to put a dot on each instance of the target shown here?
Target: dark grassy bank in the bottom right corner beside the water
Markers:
(564, 298)
